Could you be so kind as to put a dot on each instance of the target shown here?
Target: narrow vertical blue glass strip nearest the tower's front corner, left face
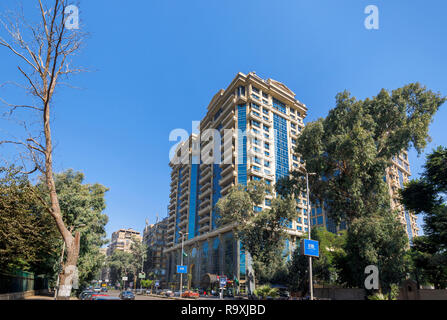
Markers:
(242, 144)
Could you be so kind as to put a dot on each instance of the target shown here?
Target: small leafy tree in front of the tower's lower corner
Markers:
(261, 232)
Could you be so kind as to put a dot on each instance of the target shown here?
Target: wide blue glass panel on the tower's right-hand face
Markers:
(281, 146)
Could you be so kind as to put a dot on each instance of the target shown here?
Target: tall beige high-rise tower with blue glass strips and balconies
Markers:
(248, 133)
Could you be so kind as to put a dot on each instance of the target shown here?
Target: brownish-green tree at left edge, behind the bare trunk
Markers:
(28, 238)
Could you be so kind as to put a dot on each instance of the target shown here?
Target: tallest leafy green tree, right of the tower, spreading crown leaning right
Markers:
(349, 152)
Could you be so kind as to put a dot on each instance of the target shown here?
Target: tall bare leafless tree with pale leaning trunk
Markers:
(43, 50)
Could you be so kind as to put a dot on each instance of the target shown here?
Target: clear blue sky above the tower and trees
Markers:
(158, 64)
